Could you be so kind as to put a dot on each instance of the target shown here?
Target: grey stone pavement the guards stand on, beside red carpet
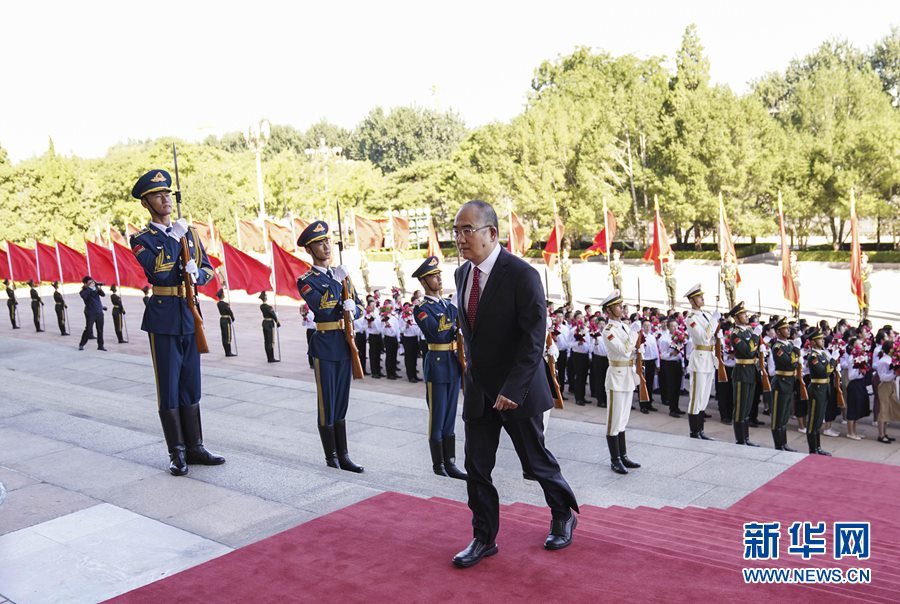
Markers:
(90, 510)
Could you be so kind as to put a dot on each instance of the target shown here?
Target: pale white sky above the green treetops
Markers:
(92, 74)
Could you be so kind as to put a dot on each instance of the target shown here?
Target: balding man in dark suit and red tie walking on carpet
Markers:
(503, 316)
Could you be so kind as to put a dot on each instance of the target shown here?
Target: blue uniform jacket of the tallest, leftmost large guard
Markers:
(160, 256)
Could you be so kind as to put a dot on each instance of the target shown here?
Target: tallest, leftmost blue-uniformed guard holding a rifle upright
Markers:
(168, 320)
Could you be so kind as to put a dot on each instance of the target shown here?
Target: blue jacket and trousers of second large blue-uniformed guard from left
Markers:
(328, 347)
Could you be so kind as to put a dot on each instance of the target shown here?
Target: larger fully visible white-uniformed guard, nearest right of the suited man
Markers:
(621, 380)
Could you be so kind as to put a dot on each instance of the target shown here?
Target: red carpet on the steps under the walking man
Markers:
(397, 547)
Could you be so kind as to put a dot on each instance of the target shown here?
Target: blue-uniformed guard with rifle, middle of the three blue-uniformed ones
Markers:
(321, 288)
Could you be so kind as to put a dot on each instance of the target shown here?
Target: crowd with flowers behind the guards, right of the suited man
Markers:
(867, 360)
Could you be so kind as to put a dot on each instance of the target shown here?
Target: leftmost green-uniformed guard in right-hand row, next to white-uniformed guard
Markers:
(744, 375)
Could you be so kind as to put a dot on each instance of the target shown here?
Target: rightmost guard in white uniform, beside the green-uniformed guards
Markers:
(702, 329)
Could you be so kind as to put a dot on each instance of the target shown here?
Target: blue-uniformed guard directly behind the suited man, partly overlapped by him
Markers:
(436, 317)
